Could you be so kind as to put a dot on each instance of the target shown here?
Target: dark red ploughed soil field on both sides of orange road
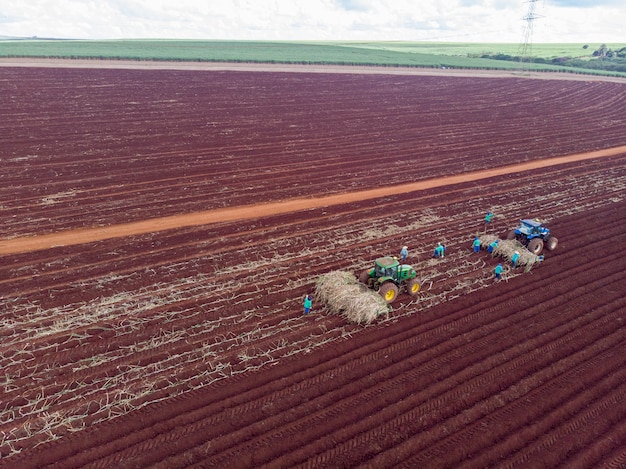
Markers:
(187, 345)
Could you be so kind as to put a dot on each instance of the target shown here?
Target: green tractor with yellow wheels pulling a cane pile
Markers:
(388, 277)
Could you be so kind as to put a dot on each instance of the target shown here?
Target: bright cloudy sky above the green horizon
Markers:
(579, 21)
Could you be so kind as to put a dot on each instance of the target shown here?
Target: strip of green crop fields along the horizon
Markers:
(408, 54)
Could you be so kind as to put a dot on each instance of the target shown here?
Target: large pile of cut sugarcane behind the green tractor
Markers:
(342, 294)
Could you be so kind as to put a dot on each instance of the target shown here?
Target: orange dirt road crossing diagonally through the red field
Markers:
(248, 212)
